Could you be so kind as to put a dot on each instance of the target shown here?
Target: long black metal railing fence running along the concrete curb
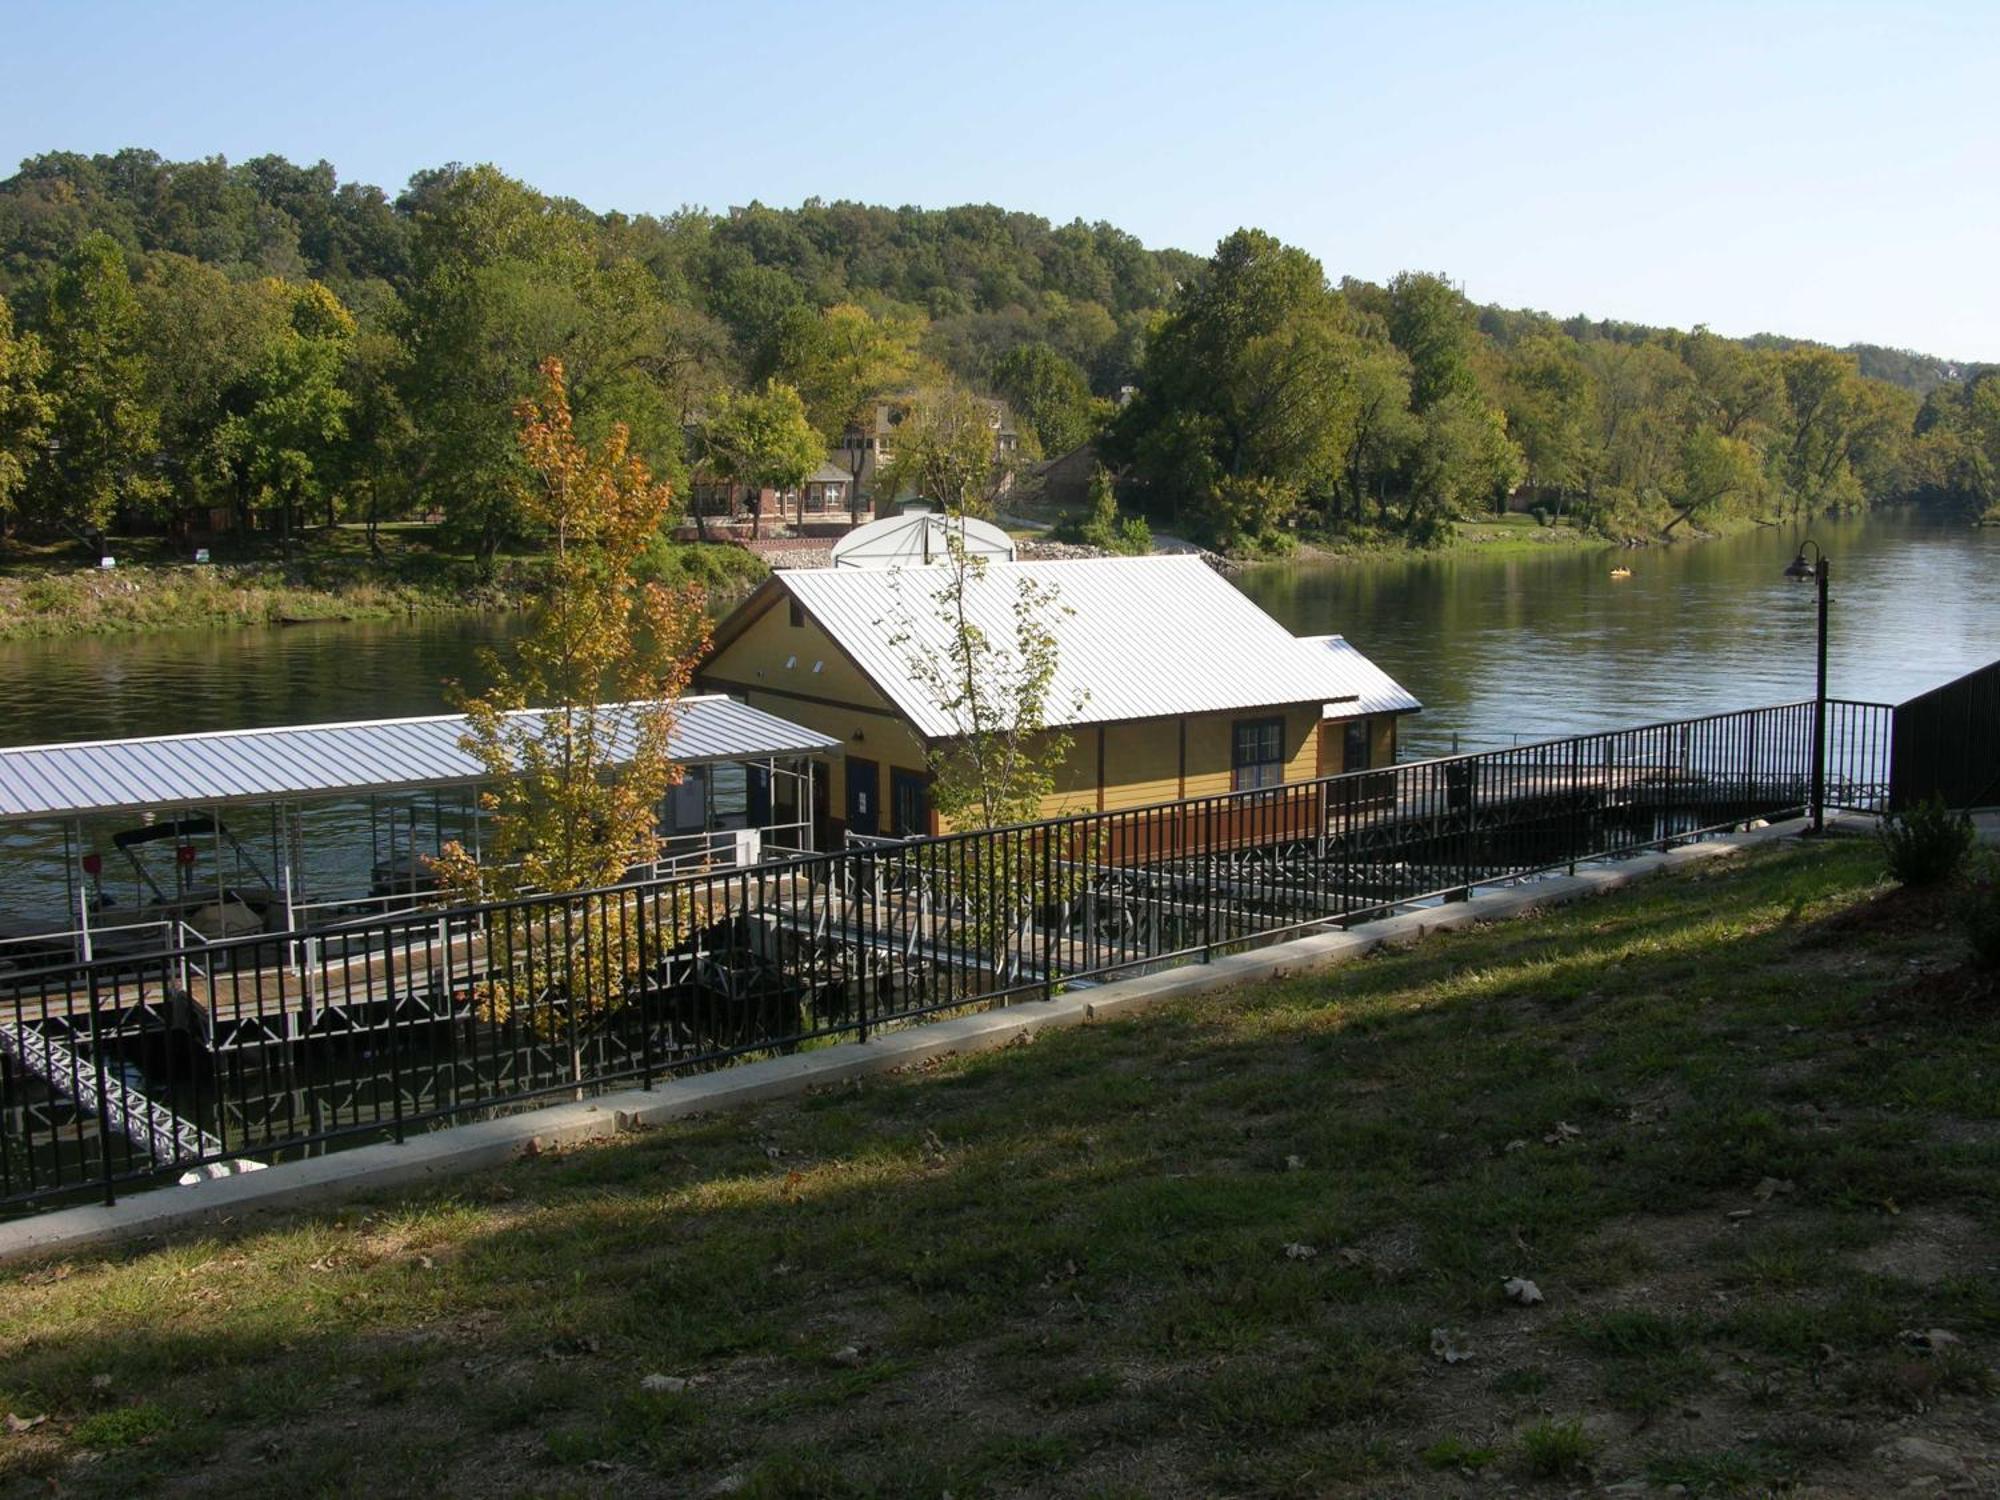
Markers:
(257, 1049)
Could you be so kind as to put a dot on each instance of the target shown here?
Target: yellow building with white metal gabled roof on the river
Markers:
(1169, 681)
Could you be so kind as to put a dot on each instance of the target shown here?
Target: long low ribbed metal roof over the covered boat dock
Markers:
(303, 761)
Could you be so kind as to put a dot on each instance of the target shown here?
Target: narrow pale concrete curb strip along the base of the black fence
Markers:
(467, 1149)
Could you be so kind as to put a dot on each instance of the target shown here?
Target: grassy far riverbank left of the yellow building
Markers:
(335, 577)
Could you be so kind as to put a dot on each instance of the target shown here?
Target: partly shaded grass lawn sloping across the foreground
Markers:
(1741, 1129)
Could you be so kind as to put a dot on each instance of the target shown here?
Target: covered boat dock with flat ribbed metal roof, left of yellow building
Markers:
(313, 825)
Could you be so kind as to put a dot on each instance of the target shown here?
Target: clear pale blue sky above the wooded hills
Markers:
(1815, 169)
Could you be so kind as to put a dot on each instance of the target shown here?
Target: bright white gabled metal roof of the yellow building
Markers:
(1135, 637)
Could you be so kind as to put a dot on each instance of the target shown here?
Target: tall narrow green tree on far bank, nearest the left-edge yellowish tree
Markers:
(103, 429)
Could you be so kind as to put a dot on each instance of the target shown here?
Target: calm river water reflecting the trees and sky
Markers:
(1499, 649)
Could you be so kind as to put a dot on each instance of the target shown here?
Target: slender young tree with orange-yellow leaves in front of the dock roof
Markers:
(577, 731)
